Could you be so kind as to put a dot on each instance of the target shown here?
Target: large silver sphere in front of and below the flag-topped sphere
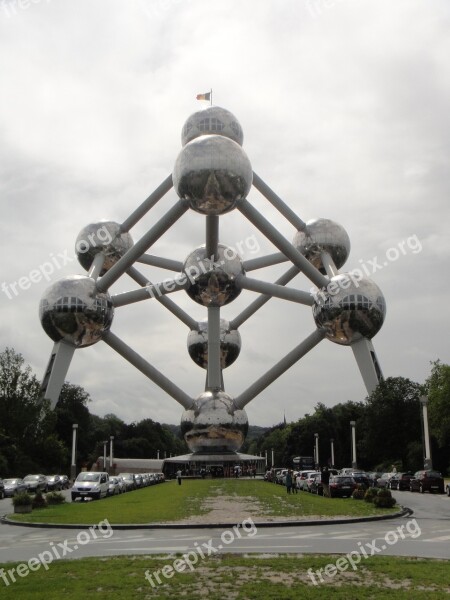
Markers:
(213, 173)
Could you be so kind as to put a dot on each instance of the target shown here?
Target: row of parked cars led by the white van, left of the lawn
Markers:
(96, 485)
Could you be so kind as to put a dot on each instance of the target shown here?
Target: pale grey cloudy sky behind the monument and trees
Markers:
(344, 106)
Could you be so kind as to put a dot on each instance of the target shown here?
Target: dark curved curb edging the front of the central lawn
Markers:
(403, 513)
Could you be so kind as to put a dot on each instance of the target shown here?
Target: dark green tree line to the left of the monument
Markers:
(35, 439)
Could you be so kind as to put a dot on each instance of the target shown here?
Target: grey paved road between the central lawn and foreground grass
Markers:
(426, 533)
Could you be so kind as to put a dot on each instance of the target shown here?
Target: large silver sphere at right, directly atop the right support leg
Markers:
(349, 309)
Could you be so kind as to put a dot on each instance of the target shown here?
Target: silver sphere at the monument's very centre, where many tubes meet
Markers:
(213, 283)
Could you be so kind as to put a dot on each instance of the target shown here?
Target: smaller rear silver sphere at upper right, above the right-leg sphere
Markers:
(323, 235)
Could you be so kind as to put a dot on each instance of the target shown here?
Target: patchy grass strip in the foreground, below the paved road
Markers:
(232, 577)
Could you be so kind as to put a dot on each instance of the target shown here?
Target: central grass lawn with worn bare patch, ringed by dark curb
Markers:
(171, 502)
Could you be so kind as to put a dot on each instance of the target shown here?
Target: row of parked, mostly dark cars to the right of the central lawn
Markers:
(344, 482)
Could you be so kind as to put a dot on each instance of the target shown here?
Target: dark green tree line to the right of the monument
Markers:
(389, 428)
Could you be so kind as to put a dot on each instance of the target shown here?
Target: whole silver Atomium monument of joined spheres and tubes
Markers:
(212, 176)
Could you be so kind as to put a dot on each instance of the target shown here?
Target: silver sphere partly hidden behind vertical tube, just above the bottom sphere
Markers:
(230, 344)
